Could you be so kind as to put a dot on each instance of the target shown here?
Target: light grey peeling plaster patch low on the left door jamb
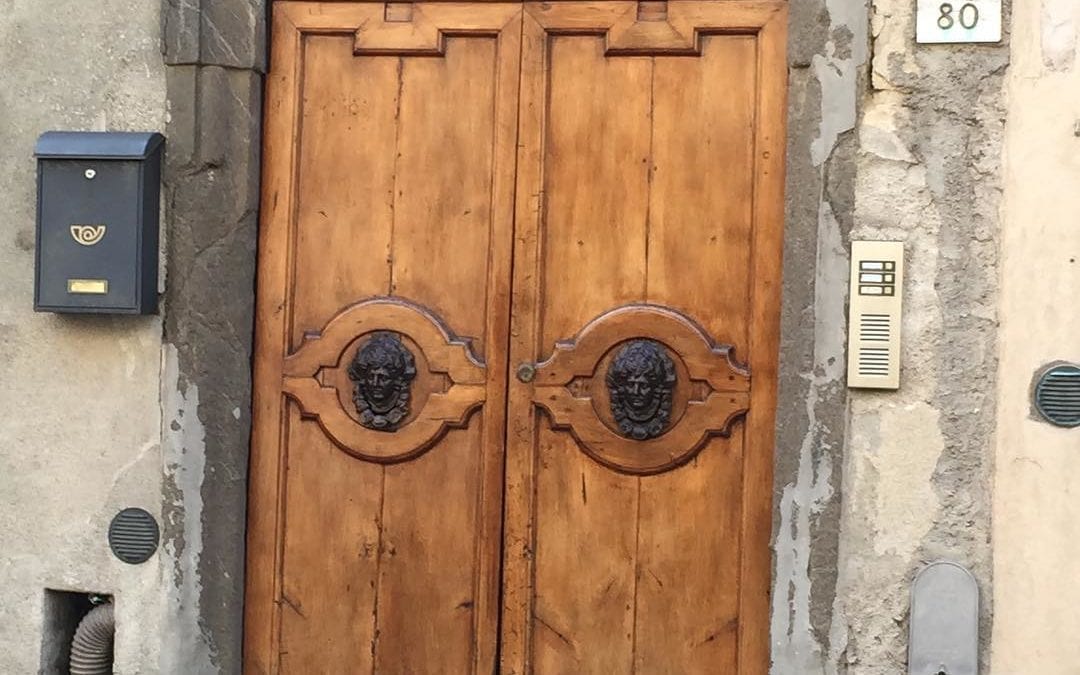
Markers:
(185, 646)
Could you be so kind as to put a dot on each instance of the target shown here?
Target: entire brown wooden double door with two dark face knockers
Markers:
(517, 339)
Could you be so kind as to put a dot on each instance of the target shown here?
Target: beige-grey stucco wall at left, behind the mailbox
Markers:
(82, 433)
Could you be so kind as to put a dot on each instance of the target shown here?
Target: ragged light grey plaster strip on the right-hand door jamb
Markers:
(799, 644)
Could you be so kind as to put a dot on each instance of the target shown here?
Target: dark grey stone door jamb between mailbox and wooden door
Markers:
(215, 53)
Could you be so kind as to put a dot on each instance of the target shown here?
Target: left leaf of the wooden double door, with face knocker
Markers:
(384, 306)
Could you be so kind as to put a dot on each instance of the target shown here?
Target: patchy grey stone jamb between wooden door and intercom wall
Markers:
(828, 52)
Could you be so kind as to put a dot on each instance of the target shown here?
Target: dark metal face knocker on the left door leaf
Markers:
(383, 371)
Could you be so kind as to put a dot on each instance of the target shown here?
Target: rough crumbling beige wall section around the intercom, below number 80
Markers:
(919, 462)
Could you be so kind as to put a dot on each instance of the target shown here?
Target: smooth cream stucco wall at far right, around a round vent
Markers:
(1036, 510)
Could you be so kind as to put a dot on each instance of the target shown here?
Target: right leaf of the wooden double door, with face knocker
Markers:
(644, 337)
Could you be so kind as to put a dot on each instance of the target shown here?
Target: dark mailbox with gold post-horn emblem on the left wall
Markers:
(99, 200)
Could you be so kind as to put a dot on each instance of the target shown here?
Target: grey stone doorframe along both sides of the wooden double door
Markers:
(217, 55)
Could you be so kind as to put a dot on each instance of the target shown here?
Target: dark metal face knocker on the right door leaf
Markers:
(641, 382)
